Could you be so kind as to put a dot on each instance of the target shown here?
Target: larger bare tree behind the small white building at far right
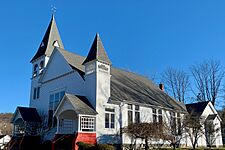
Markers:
(208, 76)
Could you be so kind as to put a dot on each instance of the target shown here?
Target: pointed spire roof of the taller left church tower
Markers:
(49, 41)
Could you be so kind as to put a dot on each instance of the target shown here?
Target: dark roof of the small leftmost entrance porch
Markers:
(29, 114)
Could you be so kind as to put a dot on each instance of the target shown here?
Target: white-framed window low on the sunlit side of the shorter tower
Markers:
(109, 118)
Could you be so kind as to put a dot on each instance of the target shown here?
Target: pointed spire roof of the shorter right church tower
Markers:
(97, 52)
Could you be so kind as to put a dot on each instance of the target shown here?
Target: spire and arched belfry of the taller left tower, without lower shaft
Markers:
(50, 40)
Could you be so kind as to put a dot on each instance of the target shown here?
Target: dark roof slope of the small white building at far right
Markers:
(196, 109)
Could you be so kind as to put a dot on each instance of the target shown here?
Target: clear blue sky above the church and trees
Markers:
(140, 35)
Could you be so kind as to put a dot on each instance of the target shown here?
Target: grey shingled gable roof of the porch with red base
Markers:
(81, 104)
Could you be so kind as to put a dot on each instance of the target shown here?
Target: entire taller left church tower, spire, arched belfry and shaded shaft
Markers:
(39, 61)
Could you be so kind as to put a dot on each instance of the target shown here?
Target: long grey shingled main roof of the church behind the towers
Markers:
(129, 87)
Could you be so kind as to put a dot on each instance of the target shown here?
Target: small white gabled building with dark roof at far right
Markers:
(210, 121)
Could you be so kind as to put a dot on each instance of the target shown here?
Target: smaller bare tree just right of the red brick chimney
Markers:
(177, 83)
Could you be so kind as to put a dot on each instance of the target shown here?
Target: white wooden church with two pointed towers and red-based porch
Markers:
(88, 99)
